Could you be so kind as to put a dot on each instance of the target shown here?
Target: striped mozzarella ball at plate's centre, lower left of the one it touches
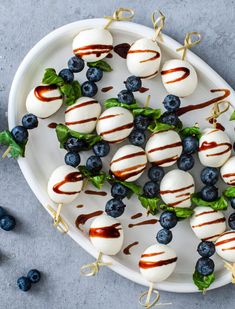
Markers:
(128, 163)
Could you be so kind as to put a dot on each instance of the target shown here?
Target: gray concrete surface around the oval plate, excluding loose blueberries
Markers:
(35, 243)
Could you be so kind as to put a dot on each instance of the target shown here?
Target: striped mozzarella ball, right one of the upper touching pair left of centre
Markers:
(115, 124)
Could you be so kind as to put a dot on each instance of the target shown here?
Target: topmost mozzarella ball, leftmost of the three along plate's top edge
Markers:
(93, 44)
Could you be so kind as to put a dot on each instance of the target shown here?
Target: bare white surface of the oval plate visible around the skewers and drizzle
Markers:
(43, 154)
